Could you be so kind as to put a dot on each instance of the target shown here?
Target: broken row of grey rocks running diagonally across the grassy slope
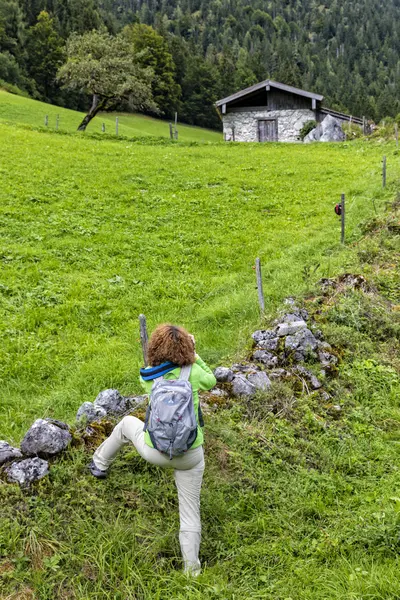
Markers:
(278, 353)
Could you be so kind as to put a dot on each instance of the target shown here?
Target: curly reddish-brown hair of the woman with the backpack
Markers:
(170, 343)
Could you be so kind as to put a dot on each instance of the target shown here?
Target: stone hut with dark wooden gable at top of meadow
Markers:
(272, 112)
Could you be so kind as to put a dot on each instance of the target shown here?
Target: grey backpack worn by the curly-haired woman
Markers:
(170, 417)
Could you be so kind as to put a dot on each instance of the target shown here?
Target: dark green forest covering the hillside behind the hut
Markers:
(202, 50)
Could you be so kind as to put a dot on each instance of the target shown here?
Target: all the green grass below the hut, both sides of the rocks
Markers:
(303, 506)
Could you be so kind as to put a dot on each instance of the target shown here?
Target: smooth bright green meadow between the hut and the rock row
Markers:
(95, 232)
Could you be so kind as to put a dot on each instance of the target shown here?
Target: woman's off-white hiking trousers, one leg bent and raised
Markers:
(189, 469)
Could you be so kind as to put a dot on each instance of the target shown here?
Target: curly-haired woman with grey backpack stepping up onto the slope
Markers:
(172, 435)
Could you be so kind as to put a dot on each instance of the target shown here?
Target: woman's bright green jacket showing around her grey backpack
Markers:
(201, 378)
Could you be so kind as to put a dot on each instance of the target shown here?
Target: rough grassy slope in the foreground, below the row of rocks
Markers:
(303, 506)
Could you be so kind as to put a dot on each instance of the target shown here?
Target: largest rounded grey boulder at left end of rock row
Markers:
(45, 438)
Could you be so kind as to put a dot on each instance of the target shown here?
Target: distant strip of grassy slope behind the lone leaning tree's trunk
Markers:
(16, 109)
